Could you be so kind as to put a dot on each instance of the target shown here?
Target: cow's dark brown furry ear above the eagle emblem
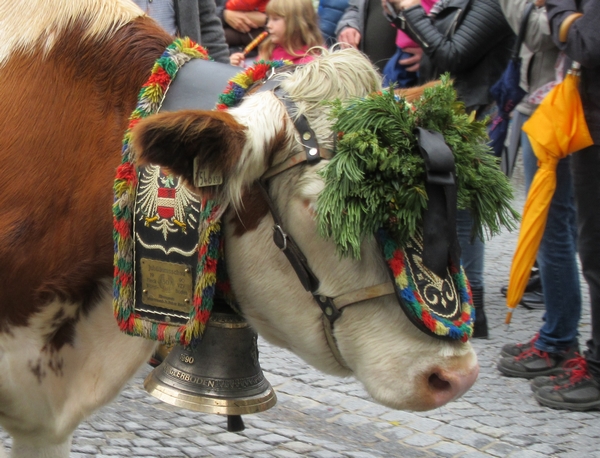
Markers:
(174, 139)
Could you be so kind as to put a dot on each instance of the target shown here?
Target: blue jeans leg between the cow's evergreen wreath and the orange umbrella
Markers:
(471, 250)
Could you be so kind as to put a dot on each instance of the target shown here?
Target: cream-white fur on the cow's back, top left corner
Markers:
(24, 22)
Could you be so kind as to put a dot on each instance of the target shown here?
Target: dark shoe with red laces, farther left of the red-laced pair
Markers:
(533, 363)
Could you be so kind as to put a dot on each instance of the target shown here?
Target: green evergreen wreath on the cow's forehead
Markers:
(377, 177)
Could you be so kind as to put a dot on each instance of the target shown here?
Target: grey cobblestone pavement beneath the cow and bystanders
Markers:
(327, 417)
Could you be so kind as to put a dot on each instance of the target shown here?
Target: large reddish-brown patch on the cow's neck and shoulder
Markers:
(64, 116)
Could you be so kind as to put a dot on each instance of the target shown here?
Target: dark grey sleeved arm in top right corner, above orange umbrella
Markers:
(582, 37)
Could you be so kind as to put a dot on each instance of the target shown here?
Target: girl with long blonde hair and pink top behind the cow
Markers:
(293, 28)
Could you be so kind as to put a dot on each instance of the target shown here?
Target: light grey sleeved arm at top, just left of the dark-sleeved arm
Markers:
(537, 35)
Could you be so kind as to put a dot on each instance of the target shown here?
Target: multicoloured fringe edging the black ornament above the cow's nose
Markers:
(460, 329)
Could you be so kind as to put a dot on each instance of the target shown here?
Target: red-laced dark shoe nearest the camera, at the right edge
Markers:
(581, 392)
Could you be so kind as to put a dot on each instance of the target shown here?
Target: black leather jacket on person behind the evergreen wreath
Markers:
(470, 39)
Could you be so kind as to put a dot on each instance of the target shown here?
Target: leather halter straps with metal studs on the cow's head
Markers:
(331, 307)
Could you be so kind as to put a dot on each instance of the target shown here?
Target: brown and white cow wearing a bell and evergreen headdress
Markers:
(70, 72)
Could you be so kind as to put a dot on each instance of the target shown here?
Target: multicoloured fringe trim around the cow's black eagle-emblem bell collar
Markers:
(211, 273)
